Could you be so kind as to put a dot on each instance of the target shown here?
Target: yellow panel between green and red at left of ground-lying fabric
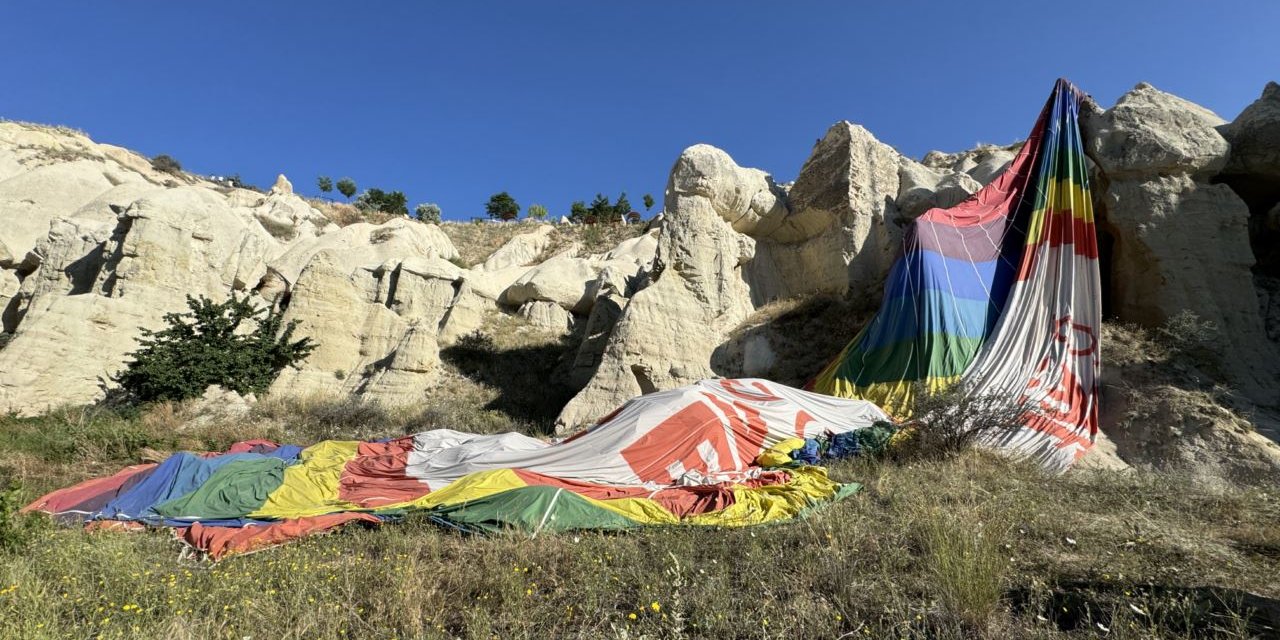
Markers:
(310, 487)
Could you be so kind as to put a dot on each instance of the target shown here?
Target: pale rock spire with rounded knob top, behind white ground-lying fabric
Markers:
(669, 331)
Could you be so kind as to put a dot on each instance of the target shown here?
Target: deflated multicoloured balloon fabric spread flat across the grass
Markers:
(687, 456)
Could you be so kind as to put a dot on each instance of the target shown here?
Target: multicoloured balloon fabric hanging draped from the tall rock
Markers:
(1002, 296)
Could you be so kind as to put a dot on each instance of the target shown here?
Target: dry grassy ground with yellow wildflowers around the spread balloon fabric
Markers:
(929, 550)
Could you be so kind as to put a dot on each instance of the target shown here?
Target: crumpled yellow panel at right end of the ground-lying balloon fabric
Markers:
(755, 506)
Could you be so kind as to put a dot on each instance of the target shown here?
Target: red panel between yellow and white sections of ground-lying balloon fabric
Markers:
(376, 477)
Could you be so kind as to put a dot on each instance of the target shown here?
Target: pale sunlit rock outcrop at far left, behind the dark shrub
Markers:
(81, 318)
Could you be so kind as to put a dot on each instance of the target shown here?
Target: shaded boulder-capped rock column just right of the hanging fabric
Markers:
(1180, 243)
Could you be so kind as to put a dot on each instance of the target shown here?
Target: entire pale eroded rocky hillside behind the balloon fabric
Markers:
(729, 282)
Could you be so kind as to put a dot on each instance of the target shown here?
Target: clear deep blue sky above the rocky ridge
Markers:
(555, 102)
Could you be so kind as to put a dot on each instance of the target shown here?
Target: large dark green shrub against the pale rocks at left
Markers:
(207, 346)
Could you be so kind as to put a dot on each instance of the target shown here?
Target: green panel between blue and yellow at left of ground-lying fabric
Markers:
(235, 491)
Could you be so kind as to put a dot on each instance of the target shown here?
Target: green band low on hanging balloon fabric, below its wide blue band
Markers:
(949, 356)
